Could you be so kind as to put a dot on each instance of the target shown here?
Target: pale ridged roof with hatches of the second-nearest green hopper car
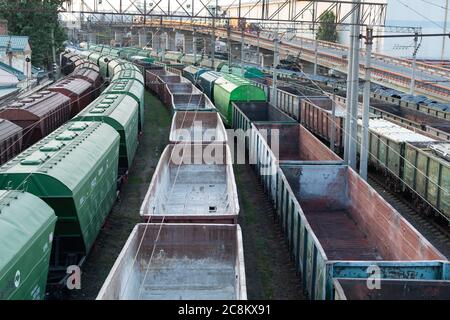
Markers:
(63, 159)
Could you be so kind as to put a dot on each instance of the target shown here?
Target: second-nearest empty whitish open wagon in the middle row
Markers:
(192, 183)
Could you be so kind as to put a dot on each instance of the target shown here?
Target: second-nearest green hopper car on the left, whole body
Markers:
(74, 170)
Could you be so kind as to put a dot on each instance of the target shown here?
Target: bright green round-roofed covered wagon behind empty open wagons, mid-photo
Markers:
(231, 88)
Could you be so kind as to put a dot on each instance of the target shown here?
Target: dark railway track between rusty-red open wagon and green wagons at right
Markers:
(432, 229)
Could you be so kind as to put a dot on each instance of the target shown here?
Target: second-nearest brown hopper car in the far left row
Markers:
(38, 115)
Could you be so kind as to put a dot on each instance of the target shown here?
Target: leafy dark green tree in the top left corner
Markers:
(35, 19)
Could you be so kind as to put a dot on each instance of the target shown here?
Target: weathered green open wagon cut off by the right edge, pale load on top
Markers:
(429, 174)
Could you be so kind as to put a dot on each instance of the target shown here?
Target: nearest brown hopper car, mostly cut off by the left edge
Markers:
(10, 140)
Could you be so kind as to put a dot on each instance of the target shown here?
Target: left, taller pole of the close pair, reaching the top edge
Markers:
(353, 125)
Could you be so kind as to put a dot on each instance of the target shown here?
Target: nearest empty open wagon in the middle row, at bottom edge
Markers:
(194, 261)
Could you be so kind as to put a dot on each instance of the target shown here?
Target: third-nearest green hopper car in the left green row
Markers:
(122, 113)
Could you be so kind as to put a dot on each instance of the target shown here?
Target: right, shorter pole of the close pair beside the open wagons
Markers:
(366, 105)
